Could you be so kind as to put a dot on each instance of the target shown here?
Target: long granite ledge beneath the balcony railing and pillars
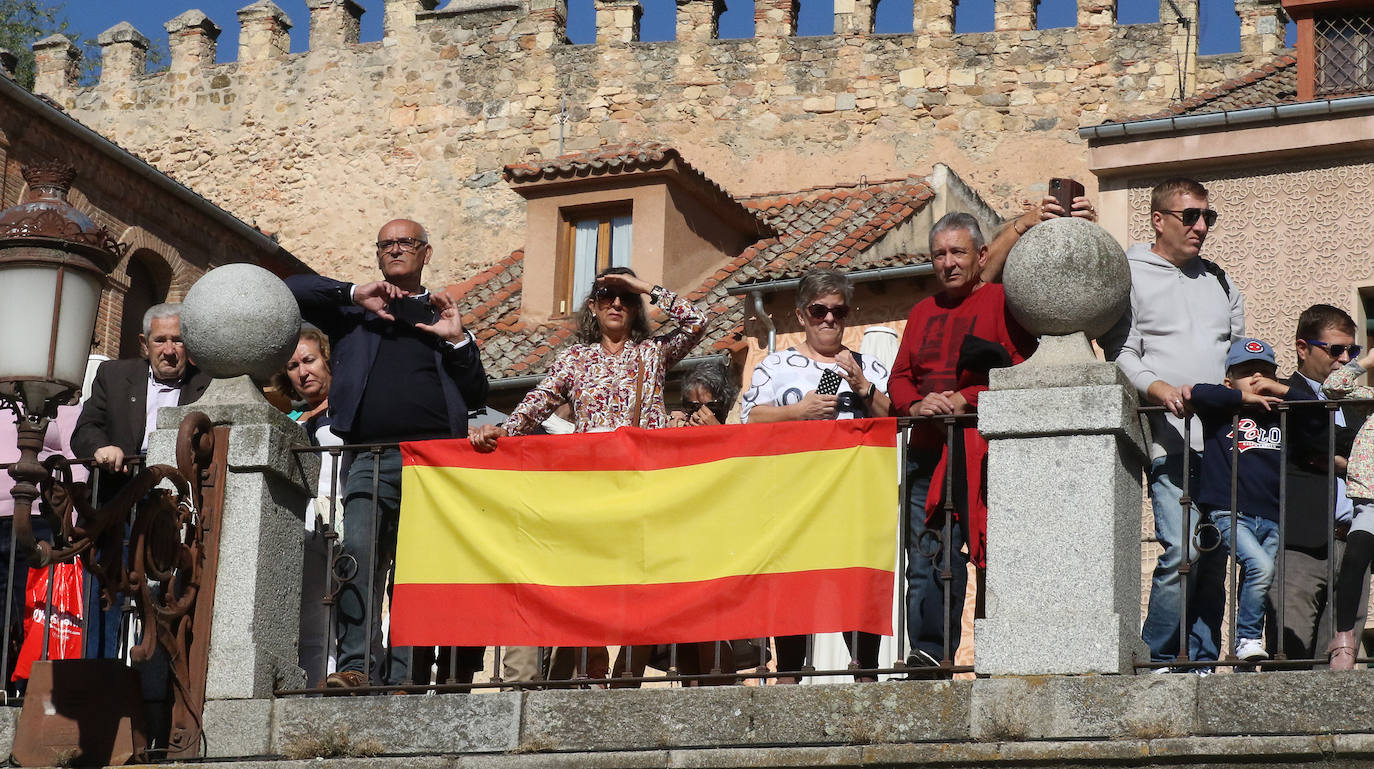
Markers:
(1225, 720)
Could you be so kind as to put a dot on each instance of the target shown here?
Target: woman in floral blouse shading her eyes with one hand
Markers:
(613, 377)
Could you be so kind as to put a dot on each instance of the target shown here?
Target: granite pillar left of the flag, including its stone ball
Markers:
(241, 321)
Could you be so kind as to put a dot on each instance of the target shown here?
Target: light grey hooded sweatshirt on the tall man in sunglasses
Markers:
(1180, 328)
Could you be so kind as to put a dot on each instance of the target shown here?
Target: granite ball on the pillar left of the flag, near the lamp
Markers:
(240, 319)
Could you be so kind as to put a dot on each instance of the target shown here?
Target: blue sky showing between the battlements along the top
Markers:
(1219, 24)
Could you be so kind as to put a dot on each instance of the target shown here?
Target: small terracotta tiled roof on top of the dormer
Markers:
(624, 159)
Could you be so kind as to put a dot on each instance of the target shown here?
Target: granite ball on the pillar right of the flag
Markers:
(1067, 275)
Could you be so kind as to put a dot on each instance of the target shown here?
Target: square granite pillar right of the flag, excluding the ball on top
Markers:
(1064, 524)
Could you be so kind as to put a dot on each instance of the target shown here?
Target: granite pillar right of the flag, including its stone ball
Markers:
(1064, 469)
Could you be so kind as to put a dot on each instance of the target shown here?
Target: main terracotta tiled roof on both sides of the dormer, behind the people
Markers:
(825, 227)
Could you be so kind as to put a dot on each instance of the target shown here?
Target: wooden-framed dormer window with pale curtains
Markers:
(592, 241)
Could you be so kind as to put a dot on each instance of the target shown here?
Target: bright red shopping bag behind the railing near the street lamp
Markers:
(65, 627)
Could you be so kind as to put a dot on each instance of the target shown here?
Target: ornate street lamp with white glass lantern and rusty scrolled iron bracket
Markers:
(54, 262)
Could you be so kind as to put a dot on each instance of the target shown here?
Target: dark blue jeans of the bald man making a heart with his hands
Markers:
(370, 539)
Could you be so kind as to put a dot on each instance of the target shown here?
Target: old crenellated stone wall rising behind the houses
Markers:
(322, 148)
